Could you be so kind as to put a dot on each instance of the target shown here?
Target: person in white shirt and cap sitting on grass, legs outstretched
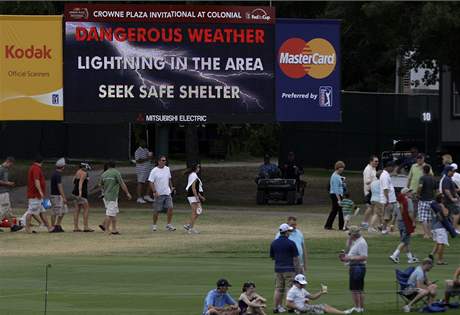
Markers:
(298, 299)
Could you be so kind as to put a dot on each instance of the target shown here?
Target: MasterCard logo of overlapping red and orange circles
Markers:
(316, 58)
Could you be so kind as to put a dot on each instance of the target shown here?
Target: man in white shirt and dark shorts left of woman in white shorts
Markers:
(161, 184)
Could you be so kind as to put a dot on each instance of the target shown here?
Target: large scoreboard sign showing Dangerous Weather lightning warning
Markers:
(173, 63)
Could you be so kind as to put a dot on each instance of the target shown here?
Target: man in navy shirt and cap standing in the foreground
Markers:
(286, 256)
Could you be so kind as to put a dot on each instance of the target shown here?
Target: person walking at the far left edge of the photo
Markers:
(6, 210)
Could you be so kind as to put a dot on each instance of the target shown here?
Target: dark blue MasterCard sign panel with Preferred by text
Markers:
(307, 70)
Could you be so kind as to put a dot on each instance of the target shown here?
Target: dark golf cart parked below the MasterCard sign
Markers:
(280, 189)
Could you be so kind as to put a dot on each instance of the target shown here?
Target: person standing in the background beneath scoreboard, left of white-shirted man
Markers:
(143, 158)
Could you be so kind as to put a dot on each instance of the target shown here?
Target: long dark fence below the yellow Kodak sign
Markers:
(25, 140)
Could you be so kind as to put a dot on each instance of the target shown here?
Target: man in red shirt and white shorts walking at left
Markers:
(36, 190)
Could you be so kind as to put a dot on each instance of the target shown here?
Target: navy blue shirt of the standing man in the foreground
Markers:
(283, 251)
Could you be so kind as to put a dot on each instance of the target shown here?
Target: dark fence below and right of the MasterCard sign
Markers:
(370, 124)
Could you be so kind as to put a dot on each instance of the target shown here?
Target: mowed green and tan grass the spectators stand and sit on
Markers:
(141, 272)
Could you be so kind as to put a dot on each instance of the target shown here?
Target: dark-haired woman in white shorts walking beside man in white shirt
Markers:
(194, 196)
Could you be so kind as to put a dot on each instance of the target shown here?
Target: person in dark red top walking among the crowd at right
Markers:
(406, 223)
